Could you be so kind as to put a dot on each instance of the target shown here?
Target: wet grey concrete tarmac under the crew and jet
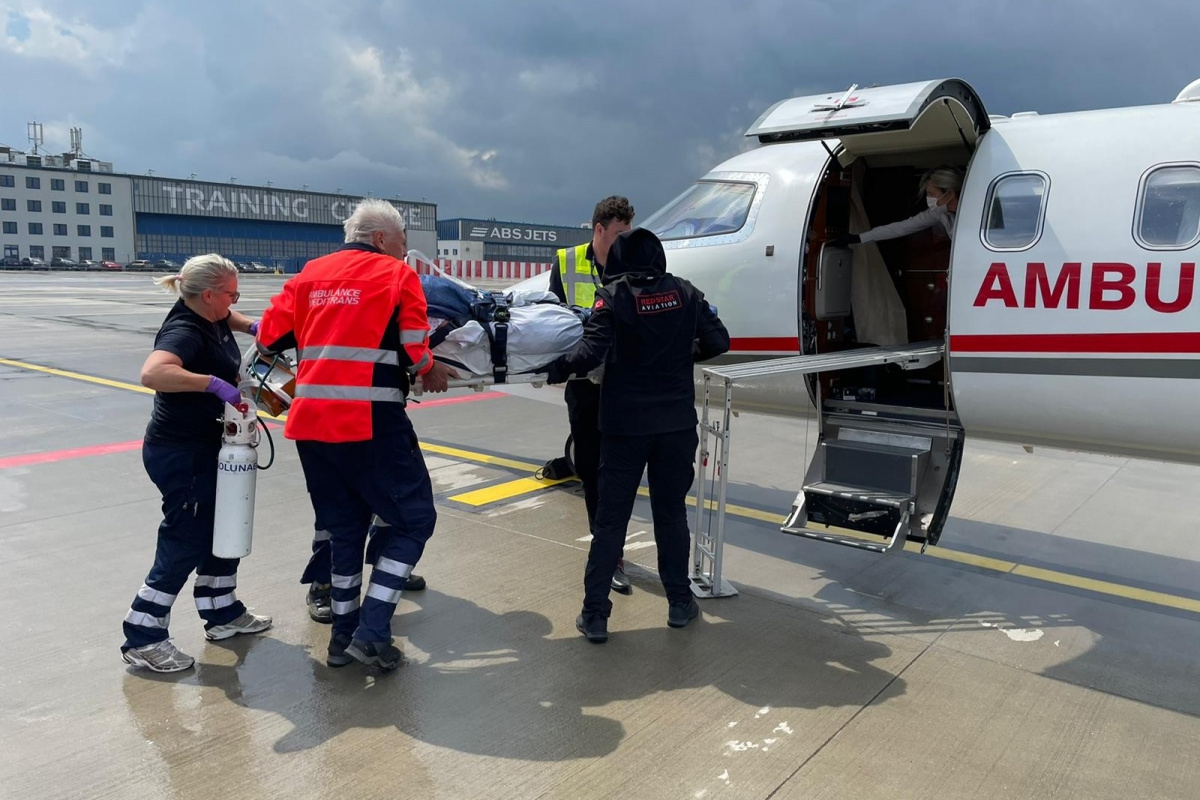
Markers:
(1047, 649)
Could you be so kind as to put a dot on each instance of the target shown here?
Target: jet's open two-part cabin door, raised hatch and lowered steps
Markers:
(885, 471)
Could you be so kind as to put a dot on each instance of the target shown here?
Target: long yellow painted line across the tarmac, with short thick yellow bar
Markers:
(526, 485)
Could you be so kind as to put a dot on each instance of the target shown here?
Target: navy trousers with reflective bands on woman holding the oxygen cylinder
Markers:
(188, 480)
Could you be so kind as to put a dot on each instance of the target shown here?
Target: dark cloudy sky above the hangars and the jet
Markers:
(529, 110)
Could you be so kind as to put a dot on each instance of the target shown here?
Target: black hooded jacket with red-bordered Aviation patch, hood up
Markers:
(649, 328)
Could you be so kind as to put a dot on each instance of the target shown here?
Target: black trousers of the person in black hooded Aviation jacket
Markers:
(669, 460)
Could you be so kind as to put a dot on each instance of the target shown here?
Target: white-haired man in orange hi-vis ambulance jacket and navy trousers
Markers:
(357, 321)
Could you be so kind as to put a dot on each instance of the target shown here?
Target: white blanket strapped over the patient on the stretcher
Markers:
(538, 335)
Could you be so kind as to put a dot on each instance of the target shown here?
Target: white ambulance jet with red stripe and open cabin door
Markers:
(1064, 314)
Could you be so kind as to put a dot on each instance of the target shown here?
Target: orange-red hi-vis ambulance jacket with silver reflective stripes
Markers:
(357, 320)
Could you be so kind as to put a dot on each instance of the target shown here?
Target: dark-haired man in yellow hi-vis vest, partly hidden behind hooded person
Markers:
(577, 275)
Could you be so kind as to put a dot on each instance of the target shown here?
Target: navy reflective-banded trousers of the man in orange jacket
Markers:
(382, 489)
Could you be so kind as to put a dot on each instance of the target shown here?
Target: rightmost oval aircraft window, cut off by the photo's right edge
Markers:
(1169, 212)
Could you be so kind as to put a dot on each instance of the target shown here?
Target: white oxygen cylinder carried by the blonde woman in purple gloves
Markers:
(237, 476)
